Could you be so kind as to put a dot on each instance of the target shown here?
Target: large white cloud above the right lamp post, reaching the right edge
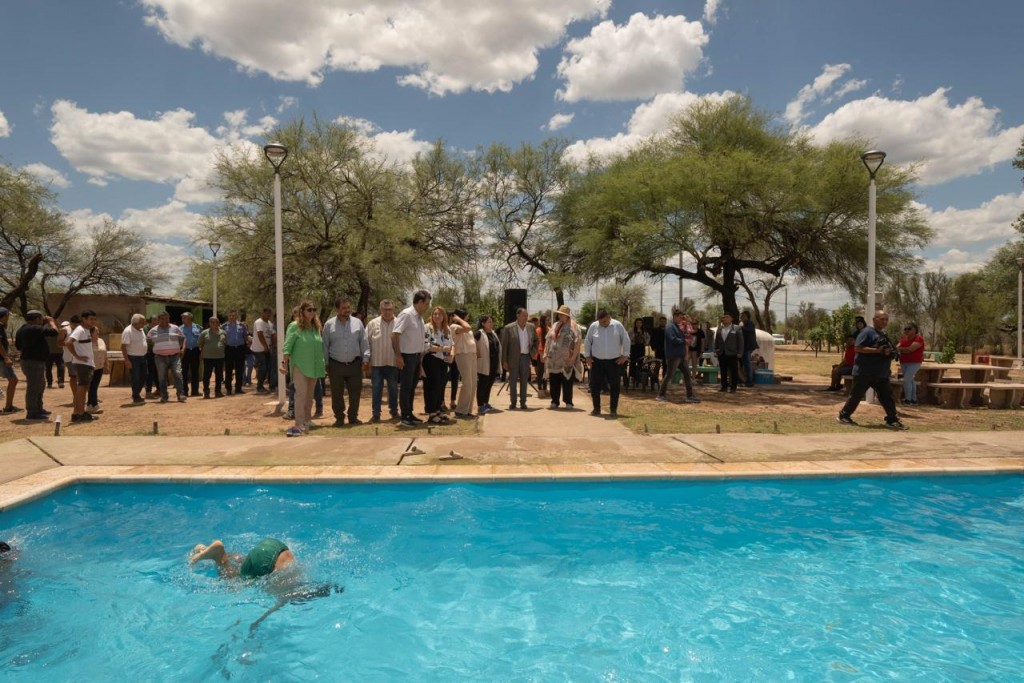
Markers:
(949, 141)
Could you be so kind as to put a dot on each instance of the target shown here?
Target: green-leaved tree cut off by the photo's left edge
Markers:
(33, 232)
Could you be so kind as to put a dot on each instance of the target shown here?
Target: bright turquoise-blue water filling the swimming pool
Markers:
(772, 581)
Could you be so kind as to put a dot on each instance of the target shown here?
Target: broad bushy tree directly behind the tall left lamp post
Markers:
(354, 223)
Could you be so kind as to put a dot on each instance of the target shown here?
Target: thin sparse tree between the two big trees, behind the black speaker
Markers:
(521, 204)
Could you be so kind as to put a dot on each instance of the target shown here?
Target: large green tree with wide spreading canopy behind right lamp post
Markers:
(740, 195)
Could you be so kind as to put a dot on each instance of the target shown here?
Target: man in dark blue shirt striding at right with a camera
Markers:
(872, 370)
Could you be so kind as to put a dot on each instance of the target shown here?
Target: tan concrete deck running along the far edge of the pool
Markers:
(33, 467)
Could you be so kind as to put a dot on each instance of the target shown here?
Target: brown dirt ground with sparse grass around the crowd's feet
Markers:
(797, 407)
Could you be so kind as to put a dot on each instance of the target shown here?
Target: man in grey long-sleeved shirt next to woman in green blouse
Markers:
(348, 353)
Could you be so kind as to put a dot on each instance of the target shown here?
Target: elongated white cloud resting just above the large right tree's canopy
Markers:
(650, 119)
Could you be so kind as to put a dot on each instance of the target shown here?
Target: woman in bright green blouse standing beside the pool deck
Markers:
(305, 353)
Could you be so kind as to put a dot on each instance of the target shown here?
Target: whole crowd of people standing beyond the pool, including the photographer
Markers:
(458, 362)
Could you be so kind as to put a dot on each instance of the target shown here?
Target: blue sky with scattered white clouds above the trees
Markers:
(121, 106)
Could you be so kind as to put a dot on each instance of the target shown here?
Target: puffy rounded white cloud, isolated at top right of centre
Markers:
(633, 62)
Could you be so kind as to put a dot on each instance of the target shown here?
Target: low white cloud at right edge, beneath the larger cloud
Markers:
(969, 228)
